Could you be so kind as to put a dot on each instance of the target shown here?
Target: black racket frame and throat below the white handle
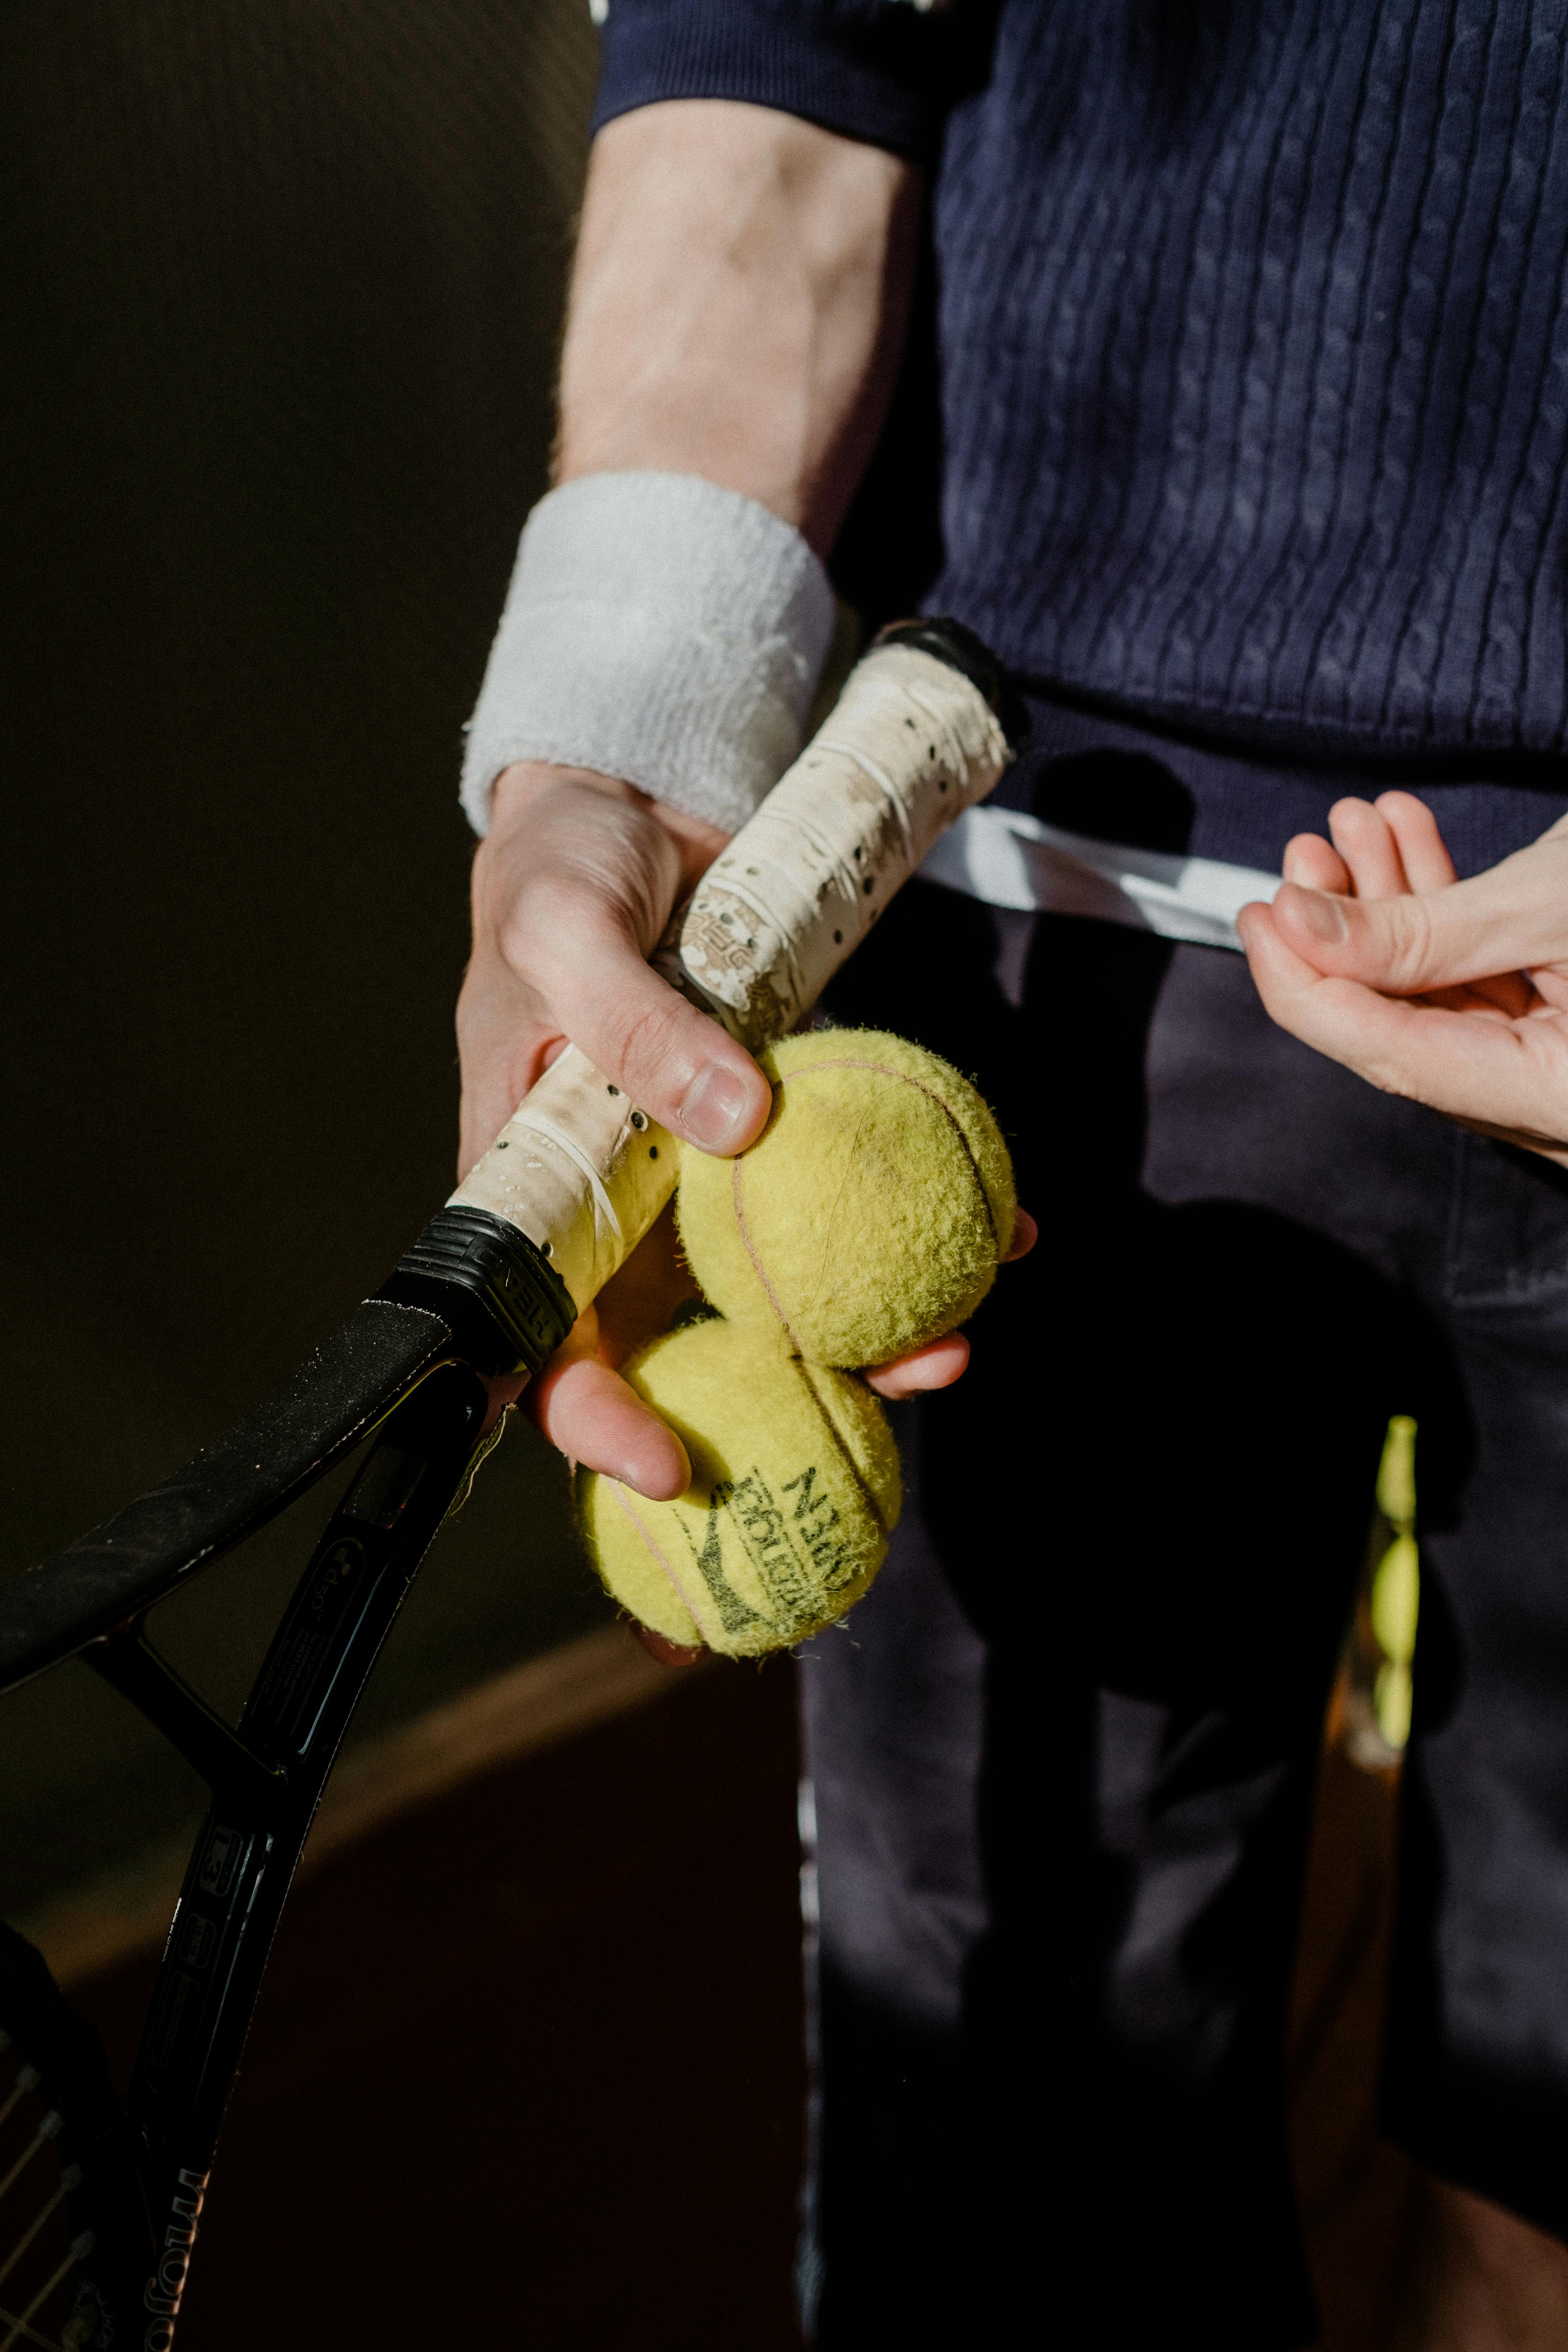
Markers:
(406, 1372)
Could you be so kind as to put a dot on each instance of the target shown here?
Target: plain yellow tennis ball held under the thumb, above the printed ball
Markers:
(869, 1217)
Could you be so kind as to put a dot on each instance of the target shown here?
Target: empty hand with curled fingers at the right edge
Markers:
(1452, 994)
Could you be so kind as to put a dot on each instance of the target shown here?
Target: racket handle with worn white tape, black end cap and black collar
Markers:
(579, 1175)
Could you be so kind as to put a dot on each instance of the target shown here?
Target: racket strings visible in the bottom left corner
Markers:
(39, 2252)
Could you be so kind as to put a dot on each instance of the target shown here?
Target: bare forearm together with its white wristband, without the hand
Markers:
(735, 328)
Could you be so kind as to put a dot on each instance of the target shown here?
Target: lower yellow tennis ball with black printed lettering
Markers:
(791, 1504)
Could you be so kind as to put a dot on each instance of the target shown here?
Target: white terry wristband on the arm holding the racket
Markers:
(657, 629)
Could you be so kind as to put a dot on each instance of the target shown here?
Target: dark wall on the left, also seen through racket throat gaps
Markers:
(281, 312)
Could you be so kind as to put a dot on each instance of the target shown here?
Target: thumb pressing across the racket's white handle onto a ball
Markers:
(666, 1055)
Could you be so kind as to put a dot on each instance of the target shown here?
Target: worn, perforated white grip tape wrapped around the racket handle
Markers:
(909, 747)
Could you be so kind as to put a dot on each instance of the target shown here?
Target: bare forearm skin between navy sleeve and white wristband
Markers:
(737, 307)
